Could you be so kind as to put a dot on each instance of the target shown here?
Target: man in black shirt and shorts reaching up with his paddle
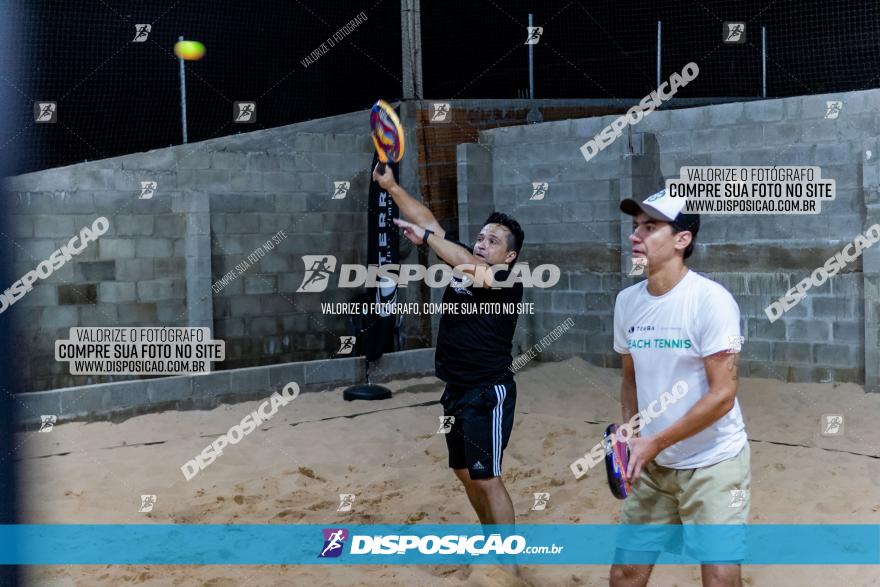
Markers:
(473, 349)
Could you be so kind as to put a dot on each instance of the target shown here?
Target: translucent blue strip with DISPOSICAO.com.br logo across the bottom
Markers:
(353, 544)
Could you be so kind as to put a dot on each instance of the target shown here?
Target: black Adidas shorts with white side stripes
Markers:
(483, 421)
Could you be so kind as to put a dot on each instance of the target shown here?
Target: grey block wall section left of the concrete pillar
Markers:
(134, 275)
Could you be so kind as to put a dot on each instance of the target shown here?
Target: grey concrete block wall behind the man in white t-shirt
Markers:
(578, 226)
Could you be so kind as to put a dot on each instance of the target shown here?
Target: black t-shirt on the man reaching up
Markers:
(473, 349)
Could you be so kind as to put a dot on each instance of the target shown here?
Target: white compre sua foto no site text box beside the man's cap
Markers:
(752, 190)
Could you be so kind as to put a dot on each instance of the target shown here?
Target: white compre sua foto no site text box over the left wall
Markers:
(160, 350)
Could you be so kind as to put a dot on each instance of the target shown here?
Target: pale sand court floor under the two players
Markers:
(292, 469)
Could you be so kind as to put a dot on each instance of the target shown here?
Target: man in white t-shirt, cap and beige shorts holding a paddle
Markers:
(689, 466)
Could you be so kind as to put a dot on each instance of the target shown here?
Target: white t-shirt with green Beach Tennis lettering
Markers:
(668, 336)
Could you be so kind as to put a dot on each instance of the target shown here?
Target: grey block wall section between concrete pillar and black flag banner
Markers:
(259, 313)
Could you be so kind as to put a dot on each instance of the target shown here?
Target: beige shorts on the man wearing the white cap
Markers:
(719, 494)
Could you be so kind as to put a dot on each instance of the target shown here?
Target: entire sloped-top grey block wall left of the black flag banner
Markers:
(215, 203)
